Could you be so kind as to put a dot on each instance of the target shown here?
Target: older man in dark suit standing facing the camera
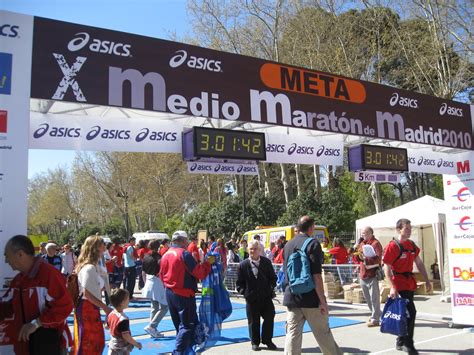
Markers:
(256, 281)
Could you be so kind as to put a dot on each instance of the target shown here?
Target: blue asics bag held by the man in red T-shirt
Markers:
(394, 317)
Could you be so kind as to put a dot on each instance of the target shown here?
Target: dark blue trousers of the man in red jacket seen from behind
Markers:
(184, 316)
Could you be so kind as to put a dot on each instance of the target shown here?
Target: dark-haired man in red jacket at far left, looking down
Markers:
(40, 302)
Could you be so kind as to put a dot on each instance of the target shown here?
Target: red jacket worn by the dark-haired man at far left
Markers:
(39, 294)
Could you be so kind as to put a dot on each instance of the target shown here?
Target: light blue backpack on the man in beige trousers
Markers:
(298, 269)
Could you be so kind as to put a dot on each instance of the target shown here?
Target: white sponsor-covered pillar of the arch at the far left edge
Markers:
(16, 36)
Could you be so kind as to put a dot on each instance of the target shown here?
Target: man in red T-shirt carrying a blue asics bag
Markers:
(399, 256)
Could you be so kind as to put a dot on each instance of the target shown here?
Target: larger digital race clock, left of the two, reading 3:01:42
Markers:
(202, 142)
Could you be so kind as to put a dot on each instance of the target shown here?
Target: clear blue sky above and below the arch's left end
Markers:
(154, 18)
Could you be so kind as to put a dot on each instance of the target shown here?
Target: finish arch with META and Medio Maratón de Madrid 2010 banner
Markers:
(52, 70)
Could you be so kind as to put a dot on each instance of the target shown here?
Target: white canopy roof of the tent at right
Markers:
(425, 210)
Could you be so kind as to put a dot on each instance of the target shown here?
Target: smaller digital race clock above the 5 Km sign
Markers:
(374, 157)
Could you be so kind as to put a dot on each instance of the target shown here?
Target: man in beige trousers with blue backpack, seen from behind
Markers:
(304, 294)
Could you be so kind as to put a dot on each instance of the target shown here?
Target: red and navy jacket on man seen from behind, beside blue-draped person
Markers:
(180, 272)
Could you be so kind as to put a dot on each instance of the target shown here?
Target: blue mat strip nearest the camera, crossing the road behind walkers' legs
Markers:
(228, 336)
